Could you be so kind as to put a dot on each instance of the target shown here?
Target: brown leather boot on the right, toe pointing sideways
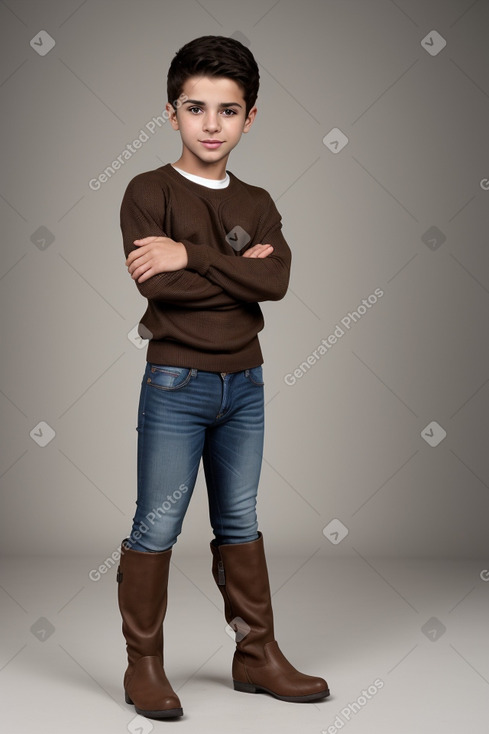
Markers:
(240, 571)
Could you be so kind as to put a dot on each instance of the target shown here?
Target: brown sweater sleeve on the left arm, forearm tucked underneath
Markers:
(141, 215)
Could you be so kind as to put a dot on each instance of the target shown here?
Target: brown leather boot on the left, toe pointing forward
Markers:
(142, 592)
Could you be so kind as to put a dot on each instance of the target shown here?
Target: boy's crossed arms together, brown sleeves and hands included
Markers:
(197, 274)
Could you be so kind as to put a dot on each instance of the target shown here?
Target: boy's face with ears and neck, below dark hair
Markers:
(210, 123)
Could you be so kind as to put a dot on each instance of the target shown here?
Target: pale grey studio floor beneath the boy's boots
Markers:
(404, 646)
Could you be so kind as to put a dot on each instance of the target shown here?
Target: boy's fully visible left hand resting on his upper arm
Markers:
(155, 255)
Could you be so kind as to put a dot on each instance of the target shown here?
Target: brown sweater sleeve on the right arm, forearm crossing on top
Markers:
(248, 279)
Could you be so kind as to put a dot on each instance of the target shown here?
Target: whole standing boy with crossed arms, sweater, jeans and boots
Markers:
(204, 248)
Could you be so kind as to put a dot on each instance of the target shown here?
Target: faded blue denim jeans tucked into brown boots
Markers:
(185, 415)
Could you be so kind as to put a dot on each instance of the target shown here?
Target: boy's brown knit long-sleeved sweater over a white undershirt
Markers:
(206, 316)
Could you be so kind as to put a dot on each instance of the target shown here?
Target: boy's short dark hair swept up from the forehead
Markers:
(214, 56)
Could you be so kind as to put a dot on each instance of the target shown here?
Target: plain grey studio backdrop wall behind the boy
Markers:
(376, 443)
